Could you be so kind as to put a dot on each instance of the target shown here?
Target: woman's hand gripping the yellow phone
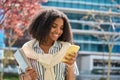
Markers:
(69, 59)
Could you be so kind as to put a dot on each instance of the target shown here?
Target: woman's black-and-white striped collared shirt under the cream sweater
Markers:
(60, 69)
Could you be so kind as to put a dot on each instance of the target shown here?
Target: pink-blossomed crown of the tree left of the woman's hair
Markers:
(15, 16)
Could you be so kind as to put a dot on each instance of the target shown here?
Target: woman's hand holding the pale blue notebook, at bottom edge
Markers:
(30, 74)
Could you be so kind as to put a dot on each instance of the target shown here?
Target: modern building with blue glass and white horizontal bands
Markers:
(95, 25)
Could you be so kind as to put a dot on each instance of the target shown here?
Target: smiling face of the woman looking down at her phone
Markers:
(56, 29)
